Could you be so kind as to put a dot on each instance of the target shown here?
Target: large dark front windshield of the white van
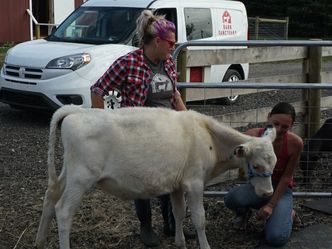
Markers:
(97, 25)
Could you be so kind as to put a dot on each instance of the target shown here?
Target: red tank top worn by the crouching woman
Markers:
(282, 160)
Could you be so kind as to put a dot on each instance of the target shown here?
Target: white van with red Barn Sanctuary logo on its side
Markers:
(48, 73)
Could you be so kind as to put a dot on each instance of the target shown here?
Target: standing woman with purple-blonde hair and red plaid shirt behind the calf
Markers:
(146, 77)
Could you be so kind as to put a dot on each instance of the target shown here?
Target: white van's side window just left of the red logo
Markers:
(198, 23)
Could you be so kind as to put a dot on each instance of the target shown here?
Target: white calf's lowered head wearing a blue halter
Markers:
(261, 160)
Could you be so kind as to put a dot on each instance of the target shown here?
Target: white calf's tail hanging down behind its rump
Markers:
(56, 121)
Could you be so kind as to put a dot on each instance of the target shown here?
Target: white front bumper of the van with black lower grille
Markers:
(45, 94)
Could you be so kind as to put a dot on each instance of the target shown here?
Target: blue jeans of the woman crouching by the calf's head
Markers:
(278, 227)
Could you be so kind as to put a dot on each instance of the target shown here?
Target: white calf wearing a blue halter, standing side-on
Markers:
(139, 153)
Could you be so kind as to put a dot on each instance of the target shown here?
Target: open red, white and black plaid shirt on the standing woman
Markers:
(131, 76)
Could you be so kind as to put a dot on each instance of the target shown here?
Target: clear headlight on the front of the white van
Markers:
(72, 62)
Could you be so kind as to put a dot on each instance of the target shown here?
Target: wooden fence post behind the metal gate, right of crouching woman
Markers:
(313, 96)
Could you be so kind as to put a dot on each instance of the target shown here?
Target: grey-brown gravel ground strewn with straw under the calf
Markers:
(103, 221)
